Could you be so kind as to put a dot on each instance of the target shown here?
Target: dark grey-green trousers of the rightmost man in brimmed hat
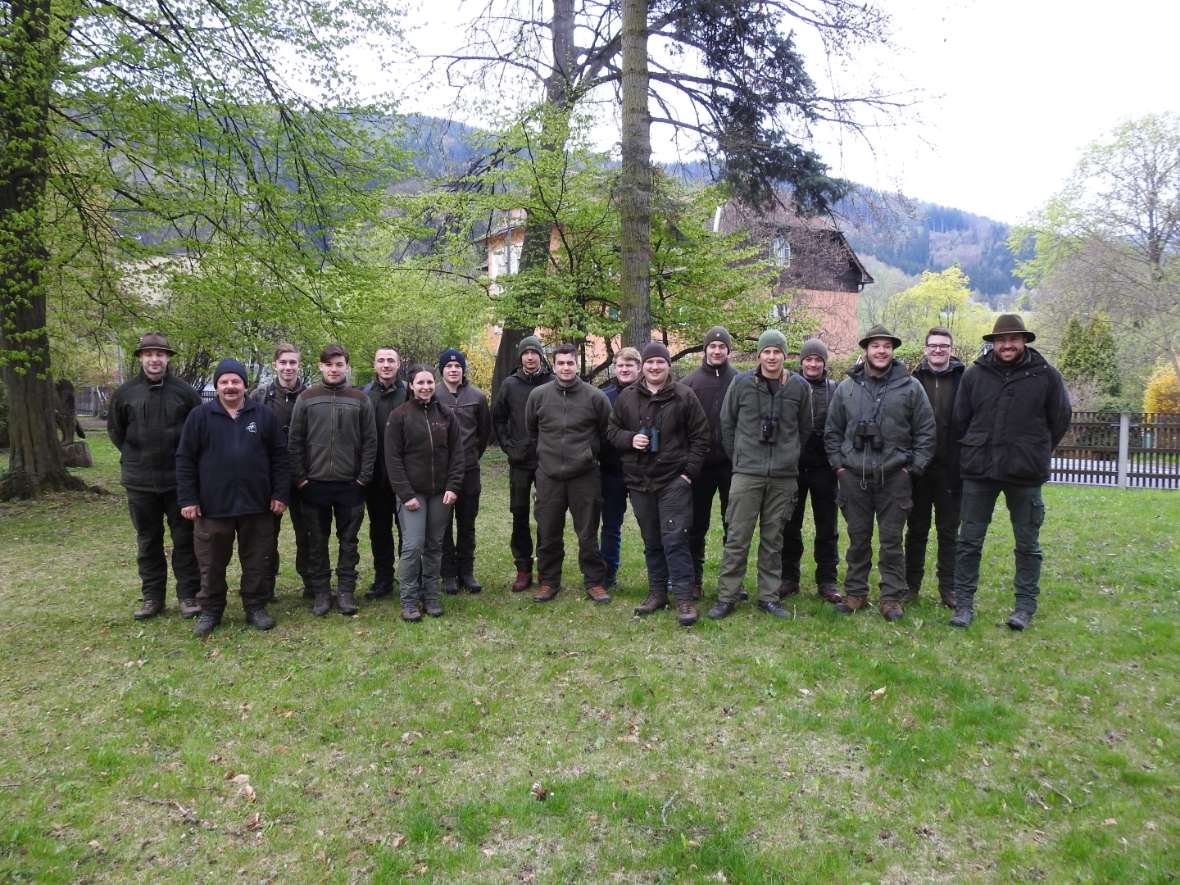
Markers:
(1026, 509)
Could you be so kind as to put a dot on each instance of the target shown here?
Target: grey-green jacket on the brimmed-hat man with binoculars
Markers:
(900, 409)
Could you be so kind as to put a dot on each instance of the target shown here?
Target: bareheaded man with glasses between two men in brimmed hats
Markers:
(940, 488)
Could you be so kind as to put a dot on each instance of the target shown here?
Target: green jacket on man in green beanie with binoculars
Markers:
(749, 408)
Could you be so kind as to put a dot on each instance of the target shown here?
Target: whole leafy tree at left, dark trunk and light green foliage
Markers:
(175, 153)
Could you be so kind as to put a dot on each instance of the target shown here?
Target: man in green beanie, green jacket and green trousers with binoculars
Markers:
(764, 417)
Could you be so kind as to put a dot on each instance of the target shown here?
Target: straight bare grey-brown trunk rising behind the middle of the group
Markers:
(635, 179)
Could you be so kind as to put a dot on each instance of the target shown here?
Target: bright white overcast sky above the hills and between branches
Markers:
(1009, 93)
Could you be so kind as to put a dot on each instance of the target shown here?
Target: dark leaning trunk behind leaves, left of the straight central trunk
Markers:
(535, 252)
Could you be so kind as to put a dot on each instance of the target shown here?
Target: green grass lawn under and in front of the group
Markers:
(571, 743)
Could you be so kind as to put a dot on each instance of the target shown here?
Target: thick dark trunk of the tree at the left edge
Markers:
(36, 463)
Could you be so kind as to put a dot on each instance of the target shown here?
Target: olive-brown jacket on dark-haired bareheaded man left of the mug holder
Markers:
(567, 425)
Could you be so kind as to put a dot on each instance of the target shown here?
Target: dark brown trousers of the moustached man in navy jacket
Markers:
(214, 540)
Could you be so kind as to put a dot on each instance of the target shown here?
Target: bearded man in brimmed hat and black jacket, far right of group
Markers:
(1012, 411)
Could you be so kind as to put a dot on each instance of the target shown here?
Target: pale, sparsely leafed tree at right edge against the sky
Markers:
(1110, 242)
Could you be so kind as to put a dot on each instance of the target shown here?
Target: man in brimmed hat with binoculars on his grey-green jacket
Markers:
(880, 435)
